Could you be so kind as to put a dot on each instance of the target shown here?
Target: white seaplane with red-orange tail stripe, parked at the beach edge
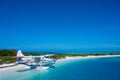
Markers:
(34, 61)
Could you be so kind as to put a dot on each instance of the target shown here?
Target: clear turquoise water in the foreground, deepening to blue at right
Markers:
(85, 69)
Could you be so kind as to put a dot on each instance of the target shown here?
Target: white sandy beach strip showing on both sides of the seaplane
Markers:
(21, 66)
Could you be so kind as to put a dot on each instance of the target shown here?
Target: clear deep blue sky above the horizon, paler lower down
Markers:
(63, 24)
